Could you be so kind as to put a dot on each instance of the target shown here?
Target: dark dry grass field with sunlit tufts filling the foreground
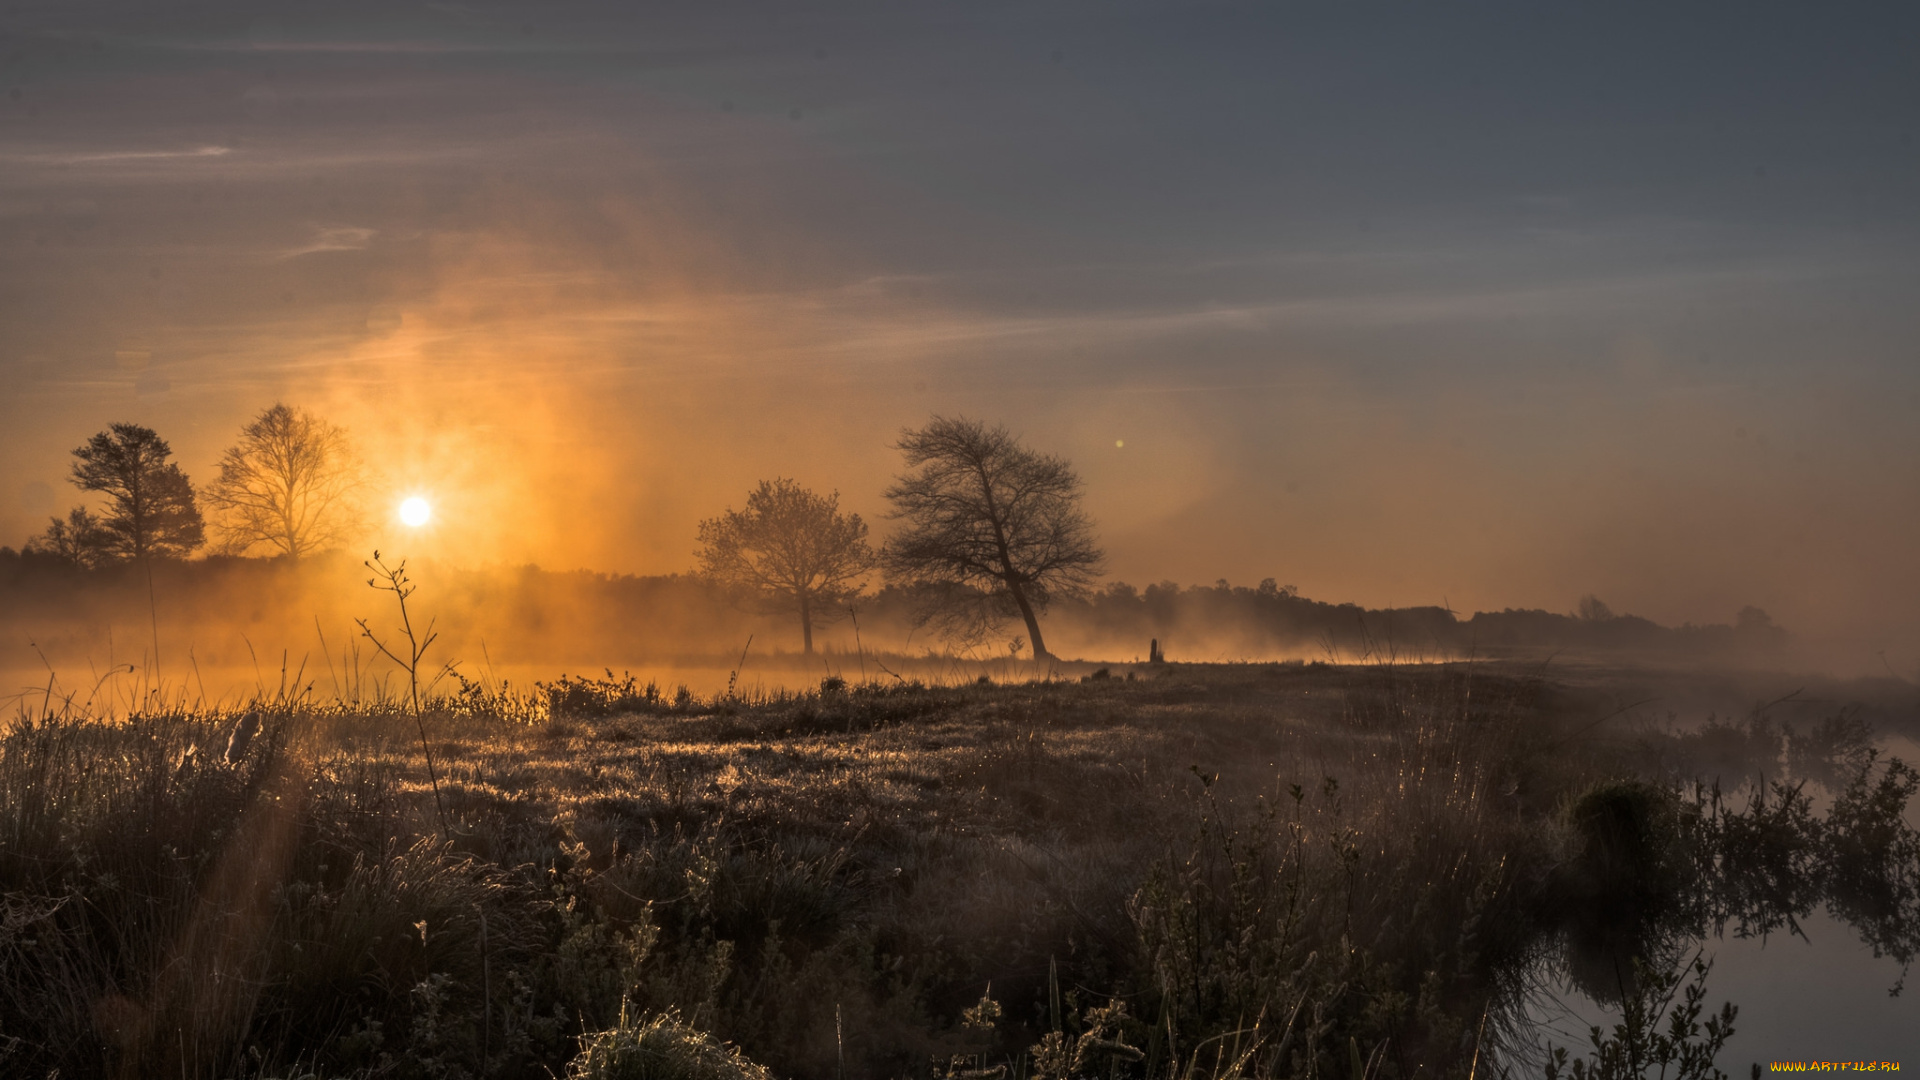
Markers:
(1178, 871)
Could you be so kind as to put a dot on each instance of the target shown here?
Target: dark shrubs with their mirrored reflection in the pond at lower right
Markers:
(1664, 873)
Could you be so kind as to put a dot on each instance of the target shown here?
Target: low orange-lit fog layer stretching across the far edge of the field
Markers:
(226, 629)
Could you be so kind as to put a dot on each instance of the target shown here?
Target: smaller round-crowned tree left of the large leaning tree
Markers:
(790, 549)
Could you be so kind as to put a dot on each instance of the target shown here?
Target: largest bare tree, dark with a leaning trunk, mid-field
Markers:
(992, 528)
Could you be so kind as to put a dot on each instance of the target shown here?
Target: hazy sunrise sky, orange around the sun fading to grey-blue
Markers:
(1472, 305)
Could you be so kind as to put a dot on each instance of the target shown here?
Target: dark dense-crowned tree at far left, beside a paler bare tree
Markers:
(151, 503)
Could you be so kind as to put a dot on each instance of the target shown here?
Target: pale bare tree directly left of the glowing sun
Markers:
(291, 485)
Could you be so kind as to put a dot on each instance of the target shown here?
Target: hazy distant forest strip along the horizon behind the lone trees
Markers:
(527, 616)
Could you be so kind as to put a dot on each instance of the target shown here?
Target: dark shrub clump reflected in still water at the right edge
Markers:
(1654, 873)
